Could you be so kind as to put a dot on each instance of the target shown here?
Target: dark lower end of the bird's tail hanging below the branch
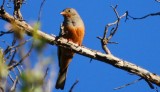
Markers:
(61, 79)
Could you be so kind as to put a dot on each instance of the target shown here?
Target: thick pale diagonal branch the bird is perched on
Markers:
(106, 58)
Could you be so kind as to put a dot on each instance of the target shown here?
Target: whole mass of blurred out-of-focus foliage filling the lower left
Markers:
(29, 79)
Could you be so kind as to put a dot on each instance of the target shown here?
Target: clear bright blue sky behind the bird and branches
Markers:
(139, 41)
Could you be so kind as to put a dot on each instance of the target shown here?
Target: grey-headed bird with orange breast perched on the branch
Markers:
(73, 30)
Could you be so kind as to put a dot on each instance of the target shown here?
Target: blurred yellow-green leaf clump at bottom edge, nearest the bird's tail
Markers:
(32, 81)
